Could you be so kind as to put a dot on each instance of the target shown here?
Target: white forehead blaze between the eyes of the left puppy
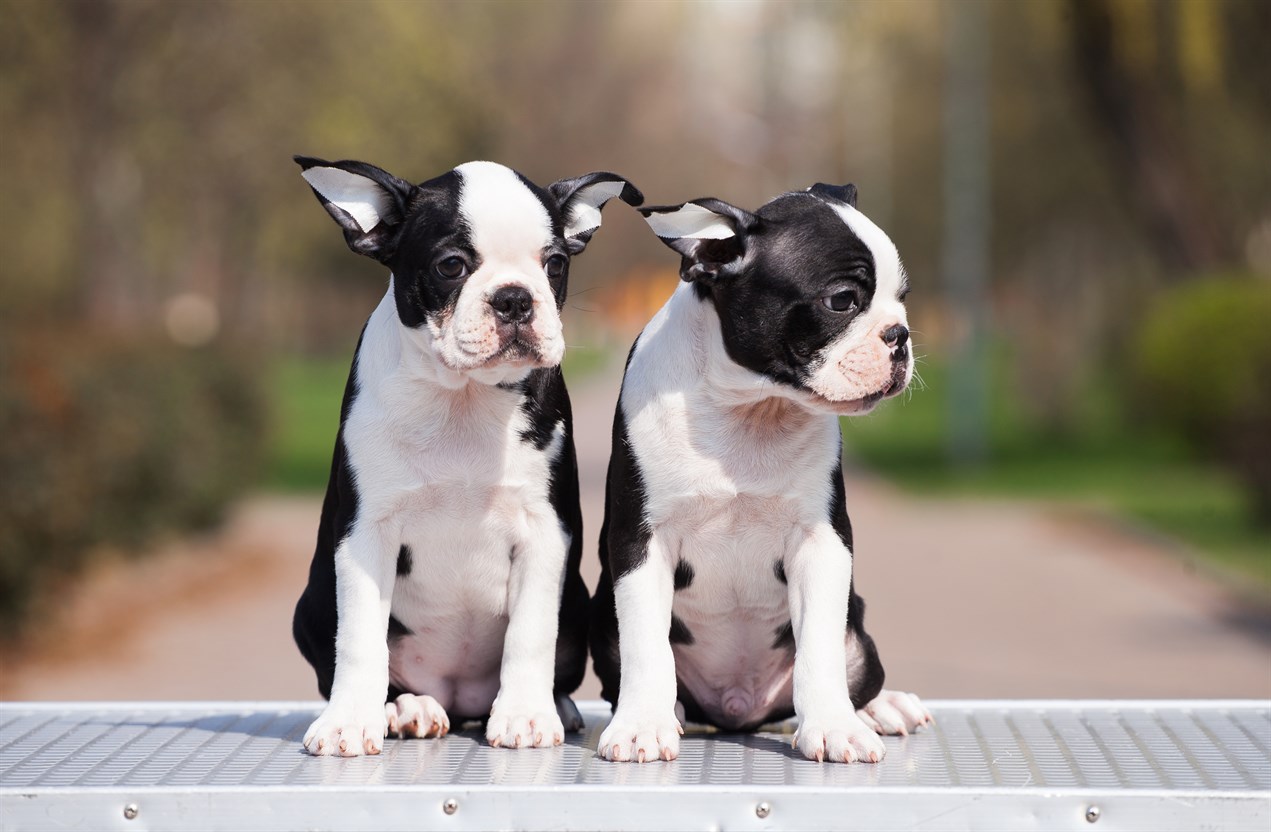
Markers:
(505, 218)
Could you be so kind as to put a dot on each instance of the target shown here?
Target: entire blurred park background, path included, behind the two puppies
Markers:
(1081, 191)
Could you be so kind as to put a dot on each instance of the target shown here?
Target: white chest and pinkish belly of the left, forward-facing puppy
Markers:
(444, 471)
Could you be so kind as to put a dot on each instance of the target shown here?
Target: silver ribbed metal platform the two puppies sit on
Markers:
(1028, 765)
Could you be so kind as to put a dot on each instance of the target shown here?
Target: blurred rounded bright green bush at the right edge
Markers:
(1203, 358)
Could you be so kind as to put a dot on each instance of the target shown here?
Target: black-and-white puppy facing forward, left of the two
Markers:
(445, 584)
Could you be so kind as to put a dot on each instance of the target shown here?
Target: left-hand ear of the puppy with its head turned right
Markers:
(710, 236)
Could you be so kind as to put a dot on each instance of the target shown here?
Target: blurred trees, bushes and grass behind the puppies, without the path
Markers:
(147, 158)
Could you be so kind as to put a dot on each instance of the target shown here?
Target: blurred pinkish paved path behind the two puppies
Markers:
(968, 599)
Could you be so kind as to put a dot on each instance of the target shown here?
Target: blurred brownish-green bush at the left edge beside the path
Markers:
(106, 441)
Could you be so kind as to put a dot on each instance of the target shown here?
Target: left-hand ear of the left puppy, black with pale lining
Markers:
(368, 203)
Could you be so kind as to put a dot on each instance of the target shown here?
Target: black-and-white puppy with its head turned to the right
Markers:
(726, 587)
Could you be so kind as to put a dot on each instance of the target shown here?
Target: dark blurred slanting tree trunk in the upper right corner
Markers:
(1113, 45)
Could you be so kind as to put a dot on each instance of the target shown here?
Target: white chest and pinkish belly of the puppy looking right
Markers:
(735, 480)
